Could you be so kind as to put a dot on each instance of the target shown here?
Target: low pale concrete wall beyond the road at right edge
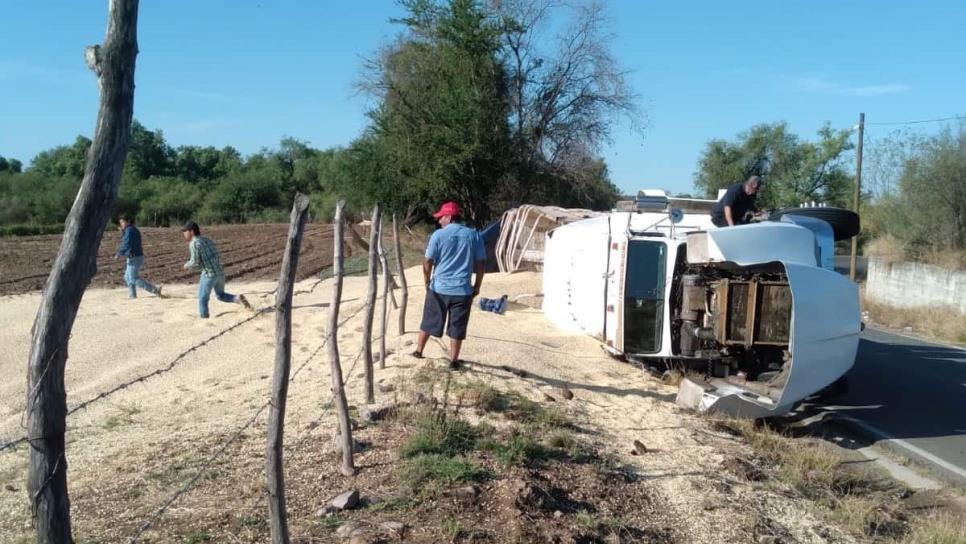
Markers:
(908, 285)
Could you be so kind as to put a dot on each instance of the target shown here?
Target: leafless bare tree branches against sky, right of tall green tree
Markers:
(563, 102)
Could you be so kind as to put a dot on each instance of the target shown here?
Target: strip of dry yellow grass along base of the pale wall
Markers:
(942, 323)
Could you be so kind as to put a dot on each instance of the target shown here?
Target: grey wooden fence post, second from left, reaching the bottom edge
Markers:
(283, 362)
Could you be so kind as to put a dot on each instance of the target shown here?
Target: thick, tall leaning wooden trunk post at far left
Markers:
(76, 263)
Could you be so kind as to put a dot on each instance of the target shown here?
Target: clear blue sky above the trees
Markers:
(246, 73)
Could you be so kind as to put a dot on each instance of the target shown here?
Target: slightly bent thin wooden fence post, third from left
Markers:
(332, 338)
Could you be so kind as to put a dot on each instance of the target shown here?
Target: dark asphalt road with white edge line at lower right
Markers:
(910, 395)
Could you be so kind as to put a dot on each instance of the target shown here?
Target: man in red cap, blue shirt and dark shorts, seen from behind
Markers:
(454, 253)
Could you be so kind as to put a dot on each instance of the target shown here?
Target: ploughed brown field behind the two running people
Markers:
(248, 252)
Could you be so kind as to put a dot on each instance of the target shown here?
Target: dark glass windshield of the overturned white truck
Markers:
(644, 296)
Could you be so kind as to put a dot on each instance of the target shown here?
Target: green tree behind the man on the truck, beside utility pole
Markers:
(792, 170)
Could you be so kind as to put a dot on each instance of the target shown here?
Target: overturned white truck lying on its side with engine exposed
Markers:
(757, 309)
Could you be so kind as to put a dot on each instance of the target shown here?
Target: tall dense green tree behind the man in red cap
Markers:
(441, 127)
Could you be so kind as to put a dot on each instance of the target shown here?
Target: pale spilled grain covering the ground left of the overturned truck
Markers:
(629, 466)
